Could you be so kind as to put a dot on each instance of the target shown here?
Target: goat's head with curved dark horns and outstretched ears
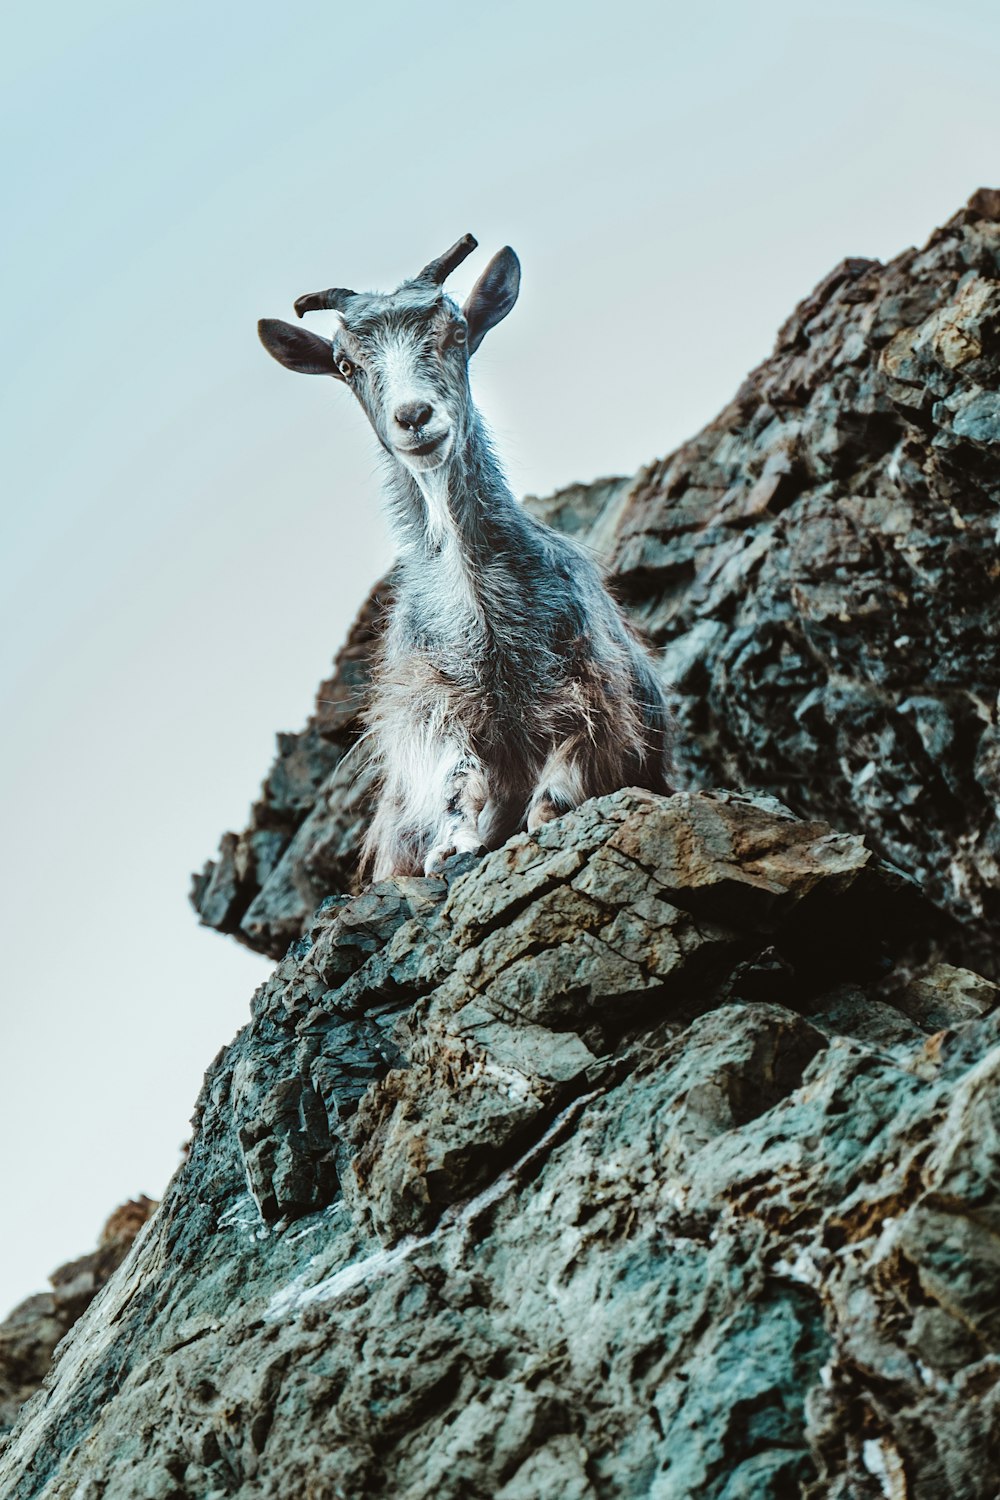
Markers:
(406, 355)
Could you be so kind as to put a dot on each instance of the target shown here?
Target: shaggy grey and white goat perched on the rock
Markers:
(510, 686)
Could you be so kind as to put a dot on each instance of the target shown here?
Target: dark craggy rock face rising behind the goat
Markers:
(819, 568)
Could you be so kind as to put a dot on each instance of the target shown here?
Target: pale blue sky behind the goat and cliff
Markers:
(188, 529)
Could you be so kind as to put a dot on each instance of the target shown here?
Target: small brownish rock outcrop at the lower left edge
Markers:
(31, 1334)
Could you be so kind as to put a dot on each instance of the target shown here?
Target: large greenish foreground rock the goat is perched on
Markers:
(626, 1162)
